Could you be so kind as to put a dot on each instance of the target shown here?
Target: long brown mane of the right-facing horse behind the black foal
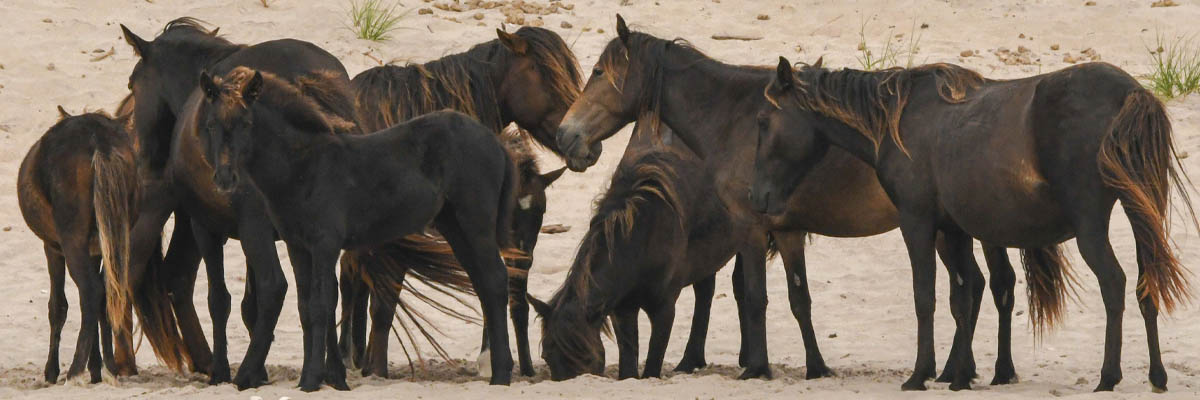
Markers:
(465, 82)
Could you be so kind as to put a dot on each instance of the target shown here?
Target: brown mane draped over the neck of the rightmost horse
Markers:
(873, 103)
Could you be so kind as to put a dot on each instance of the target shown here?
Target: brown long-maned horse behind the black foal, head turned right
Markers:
(529, 77)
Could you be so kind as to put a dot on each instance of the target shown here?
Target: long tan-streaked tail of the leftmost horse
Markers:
(115, 196)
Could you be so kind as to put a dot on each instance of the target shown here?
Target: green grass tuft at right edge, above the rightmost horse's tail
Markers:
(1175, 64)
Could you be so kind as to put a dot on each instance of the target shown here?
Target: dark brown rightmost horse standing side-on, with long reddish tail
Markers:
(1028, 163)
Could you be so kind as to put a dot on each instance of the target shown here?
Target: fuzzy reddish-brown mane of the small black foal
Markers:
(320, 102)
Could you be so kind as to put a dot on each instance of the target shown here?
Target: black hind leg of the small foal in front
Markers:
(479, 254)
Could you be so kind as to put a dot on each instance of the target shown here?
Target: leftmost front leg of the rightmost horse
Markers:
(920, 240)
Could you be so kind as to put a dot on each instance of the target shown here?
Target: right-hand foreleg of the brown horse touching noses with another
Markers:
(791, 248)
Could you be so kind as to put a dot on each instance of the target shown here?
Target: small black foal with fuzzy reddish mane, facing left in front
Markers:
(326, 193)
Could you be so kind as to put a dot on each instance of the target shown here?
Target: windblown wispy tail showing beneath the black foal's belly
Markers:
(394, 267)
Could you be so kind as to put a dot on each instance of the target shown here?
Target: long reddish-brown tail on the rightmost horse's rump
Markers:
(1138, 160)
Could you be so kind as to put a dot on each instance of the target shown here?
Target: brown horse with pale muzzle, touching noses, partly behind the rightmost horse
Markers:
(710, 106)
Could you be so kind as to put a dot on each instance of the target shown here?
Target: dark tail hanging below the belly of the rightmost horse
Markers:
(1049, 277)
